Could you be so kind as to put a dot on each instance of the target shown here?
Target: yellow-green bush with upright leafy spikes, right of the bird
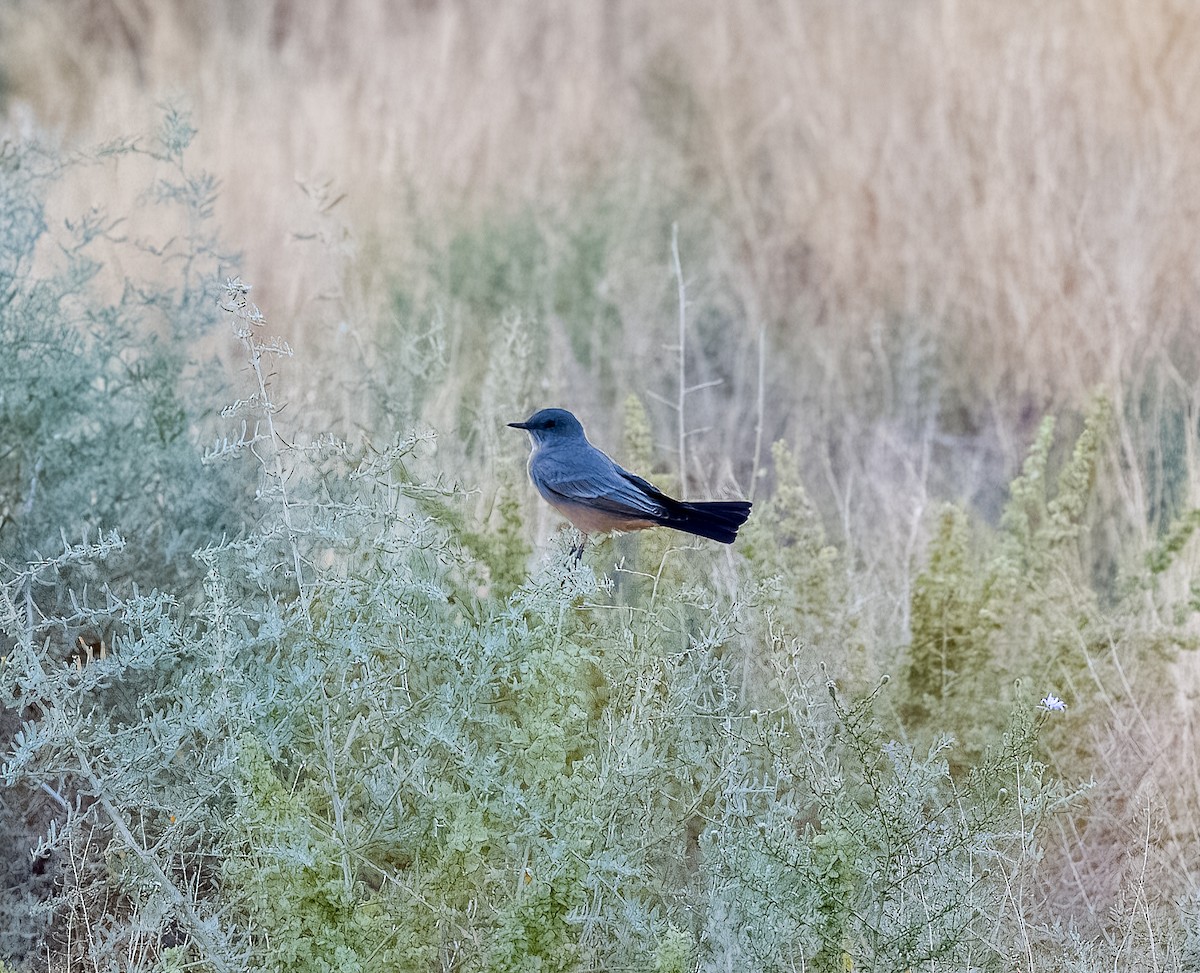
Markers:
(989, 609)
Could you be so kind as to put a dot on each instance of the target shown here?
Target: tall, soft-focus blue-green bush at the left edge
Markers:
(99, 394)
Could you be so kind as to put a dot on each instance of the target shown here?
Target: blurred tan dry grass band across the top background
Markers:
(1016, 185)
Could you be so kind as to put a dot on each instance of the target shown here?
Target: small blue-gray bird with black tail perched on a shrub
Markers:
(597, 496)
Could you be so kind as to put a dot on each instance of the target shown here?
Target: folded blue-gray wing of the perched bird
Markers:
(593, 481)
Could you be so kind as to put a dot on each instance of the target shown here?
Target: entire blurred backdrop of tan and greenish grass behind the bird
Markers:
(909, 233)
